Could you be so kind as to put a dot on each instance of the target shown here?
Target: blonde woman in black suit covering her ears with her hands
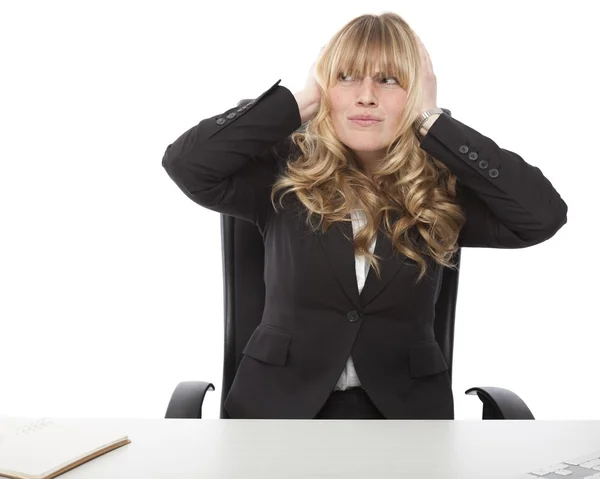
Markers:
(363, 190)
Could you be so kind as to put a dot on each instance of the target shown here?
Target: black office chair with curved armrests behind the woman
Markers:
(244, 292)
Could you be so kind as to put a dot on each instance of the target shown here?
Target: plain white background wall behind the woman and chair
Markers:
(110, 277)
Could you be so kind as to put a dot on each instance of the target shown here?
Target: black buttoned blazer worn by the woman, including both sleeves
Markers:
(314, 317)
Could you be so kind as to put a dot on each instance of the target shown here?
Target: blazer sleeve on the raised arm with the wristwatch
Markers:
(508, 203)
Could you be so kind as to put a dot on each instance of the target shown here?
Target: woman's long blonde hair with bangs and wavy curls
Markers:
(409, 184)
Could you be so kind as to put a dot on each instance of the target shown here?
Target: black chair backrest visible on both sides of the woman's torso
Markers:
(244, 293)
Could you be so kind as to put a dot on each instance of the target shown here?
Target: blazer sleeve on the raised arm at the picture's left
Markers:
(228, 163)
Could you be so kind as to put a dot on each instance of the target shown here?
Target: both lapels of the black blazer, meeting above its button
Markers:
(338, 245)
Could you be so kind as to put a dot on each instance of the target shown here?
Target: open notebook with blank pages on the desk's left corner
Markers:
(43, 449)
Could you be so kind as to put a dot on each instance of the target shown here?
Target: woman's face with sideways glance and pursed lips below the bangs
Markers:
(377, 96)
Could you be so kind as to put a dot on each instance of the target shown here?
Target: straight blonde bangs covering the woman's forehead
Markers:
(367, 49)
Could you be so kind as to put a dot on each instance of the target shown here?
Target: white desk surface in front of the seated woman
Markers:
(327, 449)
